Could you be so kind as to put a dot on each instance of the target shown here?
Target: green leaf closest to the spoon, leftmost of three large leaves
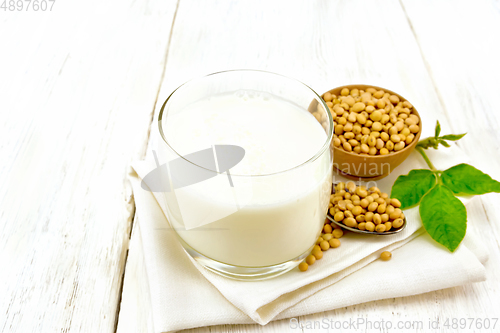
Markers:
(409, 189)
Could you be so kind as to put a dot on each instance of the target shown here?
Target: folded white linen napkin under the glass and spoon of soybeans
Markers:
(185, 295)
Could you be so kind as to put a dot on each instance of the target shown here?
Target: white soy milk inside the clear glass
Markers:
(278, 214)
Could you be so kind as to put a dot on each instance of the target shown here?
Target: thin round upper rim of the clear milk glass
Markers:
(308, 161)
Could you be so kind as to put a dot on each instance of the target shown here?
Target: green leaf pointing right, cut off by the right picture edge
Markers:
(464, 178)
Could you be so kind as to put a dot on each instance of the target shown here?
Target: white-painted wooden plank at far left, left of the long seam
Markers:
(78, 87)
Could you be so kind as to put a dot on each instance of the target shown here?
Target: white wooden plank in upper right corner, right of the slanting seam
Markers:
(464, 69)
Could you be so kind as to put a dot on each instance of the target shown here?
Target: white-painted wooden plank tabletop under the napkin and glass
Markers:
(79, 86)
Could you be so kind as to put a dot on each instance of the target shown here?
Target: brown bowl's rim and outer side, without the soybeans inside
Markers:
(370, 167)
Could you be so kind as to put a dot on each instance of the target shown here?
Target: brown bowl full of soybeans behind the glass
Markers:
(375, 130)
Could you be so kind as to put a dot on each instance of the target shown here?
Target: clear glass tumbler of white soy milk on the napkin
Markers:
(248, 168)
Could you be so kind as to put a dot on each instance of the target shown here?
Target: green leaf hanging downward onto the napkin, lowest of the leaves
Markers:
(444, 216)
